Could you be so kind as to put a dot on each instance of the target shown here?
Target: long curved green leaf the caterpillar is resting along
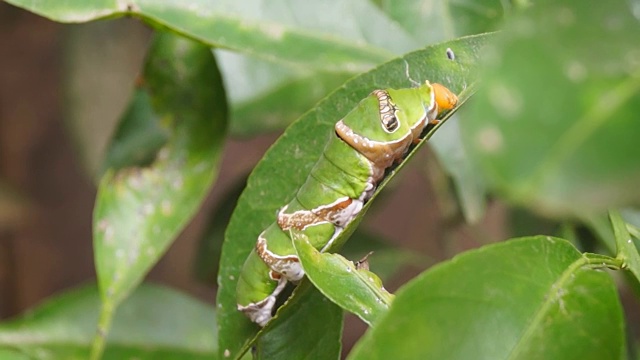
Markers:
(286, 165)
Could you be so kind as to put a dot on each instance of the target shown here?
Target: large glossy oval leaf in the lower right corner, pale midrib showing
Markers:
(532, 298)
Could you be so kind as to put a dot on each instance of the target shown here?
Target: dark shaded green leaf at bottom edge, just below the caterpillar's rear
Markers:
(292, 337)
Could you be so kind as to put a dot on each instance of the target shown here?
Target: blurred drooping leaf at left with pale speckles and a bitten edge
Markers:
(139, 211)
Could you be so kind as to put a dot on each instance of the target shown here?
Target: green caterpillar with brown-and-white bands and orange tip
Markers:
(369, 139)
